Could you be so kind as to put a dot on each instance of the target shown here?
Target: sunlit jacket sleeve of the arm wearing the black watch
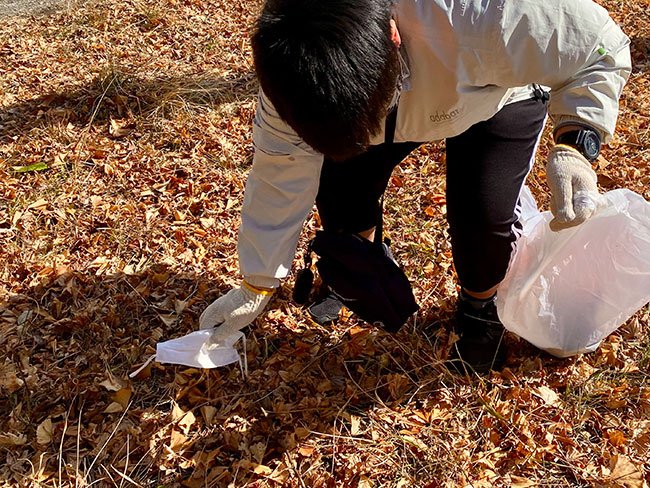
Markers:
(571, 46)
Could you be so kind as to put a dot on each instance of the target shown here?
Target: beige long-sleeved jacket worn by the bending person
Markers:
(467, 59)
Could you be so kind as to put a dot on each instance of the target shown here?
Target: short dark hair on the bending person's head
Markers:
(329, 67)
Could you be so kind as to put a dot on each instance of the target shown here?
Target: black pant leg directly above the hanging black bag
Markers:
(349, 194)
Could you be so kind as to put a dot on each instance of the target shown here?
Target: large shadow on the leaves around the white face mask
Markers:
(69, 341)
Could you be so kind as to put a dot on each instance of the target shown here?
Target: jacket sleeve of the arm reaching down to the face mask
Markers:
(280, 191)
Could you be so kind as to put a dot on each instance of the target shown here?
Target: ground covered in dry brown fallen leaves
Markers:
(124, 146)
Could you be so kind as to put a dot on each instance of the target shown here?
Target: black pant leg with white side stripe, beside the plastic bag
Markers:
(486, 169)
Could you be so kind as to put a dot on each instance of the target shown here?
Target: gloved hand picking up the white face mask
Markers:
(234, 310)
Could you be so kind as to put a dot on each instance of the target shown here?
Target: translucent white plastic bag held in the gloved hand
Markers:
(566, 291)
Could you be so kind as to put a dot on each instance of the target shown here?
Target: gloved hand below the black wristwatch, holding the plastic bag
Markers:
(570, 179)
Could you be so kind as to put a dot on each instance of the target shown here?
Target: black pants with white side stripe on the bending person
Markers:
(486, 169)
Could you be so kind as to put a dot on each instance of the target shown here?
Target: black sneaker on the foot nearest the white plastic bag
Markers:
(480, 347)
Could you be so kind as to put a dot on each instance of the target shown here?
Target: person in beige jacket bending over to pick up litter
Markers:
(348, 88)
